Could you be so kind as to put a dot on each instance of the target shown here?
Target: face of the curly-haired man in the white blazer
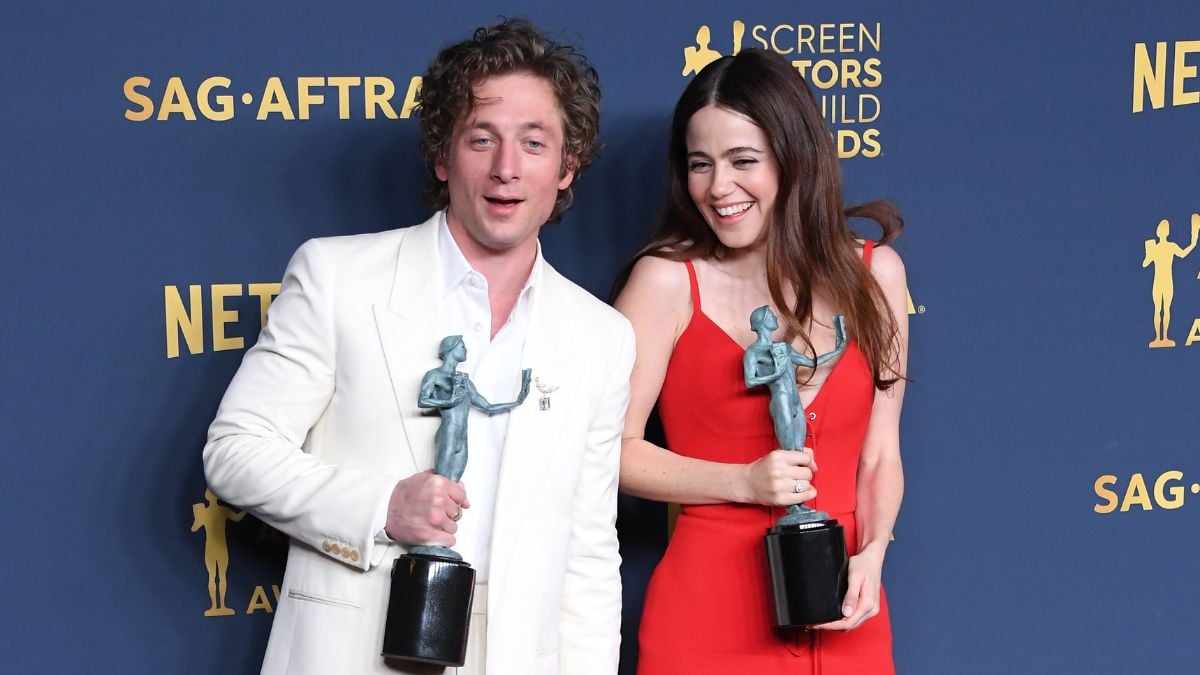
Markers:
(505, 165)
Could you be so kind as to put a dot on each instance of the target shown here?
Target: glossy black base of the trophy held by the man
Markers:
(429, 611)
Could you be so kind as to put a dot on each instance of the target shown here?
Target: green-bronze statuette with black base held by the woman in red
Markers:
(806, 551)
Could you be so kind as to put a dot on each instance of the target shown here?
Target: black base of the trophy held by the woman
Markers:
(808, 572)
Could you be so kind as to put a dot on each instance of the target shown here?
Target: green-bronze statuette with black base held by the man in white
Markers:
(429, 611)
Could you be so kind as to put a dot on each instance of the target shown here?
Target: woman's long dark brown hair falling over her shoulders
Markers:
(809, 244)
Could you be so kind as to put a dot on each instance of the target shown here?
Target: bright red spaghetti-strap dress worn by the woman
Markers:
(709, 610)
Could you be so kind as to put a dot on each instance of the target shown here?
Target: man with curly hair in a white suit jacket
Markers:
(321, 437)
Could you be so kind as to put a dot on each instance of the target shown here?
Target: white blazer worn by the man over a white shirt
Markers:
(321, 422)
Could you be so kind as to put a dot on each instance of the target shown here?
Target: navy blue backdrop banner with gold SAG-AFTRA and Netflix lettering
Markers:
(163, 162)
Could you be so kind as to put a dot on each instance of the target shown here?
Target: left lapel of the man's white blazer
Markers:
(410, 331)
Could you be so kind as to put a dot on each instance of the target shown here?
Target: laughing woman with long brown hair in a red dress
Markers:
(755, 217)
